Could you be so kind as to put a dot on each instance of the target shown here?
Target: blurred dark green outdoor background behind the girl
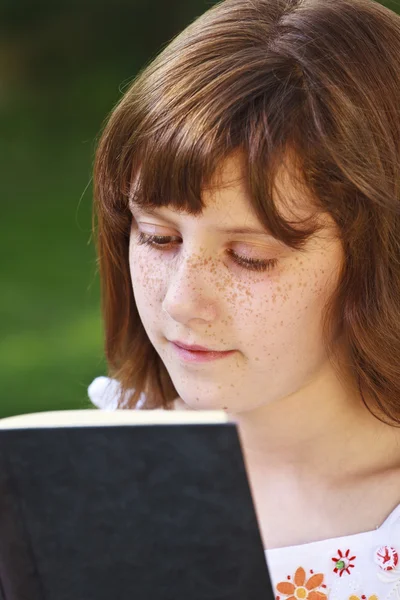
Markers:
(63, 66)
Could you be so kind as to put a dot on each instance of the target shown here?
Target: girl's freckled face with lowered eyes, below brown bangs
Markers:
(203, 281)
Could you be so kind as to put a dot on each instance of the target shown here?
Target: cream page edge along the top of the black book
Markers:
(95, 417)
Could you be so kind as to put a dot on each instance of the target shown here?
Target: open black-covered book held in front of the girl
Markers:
(118, 505)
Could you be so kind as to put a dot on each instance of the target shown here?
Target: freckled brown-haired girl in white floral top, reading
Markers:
(247, 193)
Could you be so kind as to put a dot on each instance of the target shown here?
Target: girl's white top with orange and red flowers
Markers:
(362, 566)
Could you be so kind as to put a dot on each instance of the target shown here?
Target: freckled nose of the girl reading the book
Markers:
(190, 294)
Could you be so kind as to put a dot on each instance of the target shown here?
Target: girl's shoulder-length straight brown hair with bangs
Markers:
(315, 79)
